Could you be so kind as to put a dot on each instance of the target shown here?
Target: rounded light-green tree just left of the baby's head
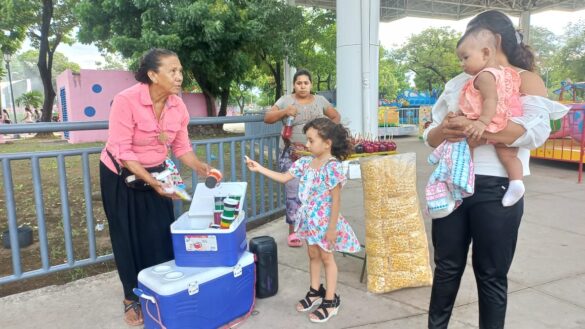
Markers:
(431, 56)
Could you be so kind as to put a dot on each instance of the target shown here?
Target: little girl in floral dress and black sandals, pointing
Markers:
(320, 222)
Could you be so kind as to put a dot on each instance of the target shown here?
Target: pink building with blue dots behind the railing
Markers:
(87, 96)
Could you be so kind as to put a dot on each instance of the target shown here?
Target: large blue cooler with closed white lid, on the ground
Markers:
(196, 297)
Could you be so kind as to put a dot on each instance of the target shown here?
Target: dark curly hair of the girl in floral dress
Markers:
(336, 132)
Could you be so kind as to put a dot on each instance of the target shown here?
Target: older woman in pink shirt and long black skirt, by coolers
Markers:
(145, 120)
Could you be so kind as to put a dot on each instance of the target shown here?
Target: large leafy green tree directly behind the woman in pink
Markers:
(208, 35)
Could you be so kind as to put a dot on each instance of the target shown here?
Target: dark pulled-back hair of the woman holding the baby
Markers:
(518, 53)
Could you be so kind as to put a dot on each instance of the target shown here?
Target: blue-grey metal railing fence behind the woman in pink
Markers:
(74, 172)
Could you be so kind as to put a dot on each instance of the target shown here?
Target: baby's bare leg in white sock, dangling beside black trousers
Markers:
(509, 158)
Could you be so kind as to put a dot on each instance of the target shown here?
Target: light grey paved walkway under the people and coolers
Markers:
(547, 279)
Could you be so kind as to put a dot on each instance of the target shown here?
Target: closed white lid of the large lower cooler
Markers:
(168, 279)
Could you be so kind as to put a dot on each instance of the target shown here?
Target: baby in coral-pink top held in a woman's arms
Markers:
(490, 98)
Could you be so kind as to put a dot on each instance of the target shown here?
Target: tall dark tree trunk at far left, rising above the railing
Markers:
(45, 62)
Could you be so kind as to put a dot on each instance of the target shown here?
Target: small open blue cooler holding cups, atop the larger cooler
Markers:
(196, 244)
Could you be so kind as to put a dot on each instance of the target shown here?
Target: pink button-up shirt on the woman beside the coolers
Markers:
(134, 131)
